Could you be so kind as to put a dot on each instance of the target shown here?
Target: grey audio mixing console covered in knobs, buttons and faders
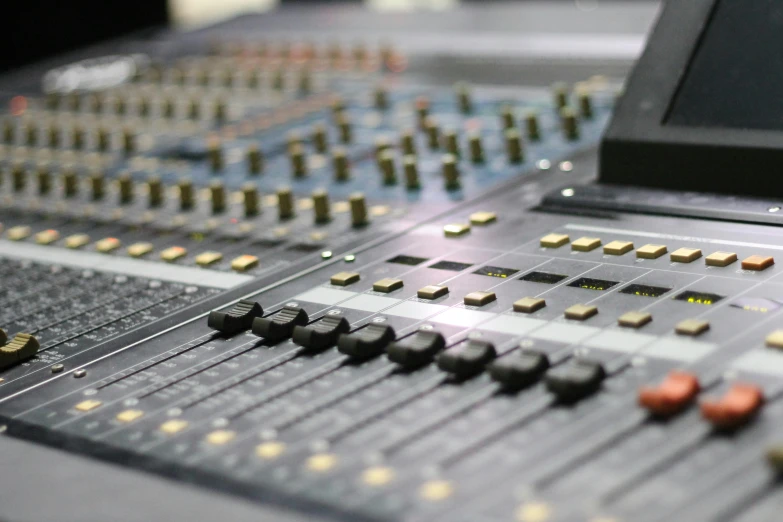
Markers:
(290, 273)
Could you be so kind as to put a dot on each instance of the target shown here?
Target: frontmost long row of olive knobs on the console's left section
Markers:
(156, 191)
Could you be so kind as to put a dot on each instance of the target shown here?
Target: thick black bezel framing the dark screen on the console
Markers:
(641, 149)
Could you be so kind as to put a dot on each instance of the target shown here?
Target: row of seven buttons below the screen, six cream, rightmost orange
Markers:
(651, 251)
